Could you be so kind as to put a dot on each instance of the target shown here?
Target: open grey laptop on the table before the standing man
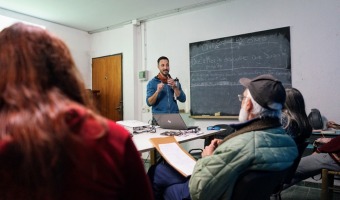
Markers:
(172, 121)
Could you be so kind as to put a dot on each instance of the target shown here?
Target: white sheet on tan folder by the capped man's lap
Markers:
(174, 154)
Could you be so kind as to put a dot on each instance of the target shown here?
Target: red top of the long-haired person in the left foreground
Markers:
(107, 164)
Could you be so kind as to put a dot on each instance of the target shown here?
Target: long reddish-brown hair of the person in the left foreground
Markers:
(39, 82)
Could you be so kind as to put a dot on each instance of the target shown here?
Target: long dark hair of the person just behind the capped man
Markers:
(294, 109)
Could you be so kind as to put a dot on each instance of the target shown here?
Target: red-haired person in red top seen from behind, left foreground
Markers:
(53, 145)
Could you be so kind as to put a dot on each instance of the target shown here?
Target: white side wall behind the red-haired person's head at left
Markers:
(77, 41)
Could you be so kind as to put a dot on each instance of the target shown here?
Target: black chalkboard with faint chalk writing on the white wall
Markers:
(217, 65)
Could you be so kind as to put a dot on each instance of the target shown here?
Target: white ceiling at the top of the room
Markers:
(98, 15)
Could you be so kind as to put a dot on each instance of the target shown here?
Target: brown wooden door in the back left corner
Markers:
(107, 78)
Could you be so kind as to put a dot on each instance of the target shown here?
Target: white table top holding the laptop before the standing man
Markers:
(143, 144)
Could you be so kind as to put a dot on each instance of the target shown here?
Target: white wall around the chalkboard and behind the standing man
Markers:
(315, 45)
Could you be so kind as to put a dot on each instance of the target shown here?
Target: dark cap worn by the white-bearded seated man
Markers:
(266, 90)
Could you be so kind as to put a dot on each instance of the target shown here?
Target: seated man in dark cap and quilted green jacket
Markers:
(259, 143)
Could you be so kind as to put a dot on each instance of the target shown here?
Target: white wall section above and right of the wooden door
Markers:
(122, 40)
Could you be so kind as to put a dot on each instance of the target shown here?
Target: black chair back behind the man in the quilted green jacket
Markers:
(257, 185)
